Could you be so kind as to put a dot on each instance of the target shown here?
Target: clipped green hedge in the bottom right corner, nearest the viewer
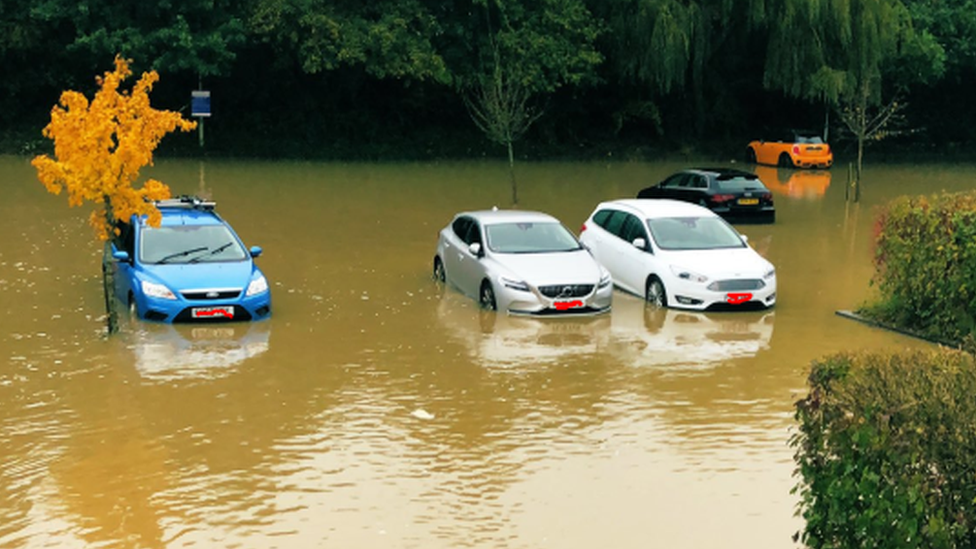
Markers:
(886, 451)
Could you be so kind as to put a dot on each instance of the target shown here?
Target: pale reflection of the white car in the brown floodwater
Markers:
(642, 335)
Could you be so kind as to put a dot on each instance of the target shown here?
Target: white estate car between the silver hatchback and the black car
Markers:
(676, 254)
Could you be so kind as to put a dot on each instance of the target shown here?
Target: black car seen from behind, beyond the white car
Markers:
(727, 192)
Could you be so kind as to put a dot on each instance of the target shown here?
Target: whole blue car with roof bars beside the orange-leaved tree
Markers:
(192, 268)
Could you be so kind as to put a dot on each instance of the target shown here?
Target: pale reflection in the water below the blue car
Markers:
(168, 352)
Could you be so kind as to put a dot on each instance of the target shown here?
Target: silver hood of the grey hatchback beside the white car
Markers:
(577, 267)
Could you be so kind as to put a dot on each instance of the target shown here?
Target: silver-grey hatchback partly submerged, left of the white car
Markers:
(521, 262)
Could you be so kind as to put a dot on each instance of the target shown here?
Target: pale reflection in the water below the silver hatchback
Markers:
(506, 341)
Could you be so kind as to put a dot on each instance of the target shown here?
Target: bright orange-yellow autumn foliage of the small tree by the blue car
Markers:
(100, 146)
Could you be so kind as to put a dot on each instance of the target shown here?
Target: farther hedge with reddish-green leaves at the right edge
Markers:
(925, 258)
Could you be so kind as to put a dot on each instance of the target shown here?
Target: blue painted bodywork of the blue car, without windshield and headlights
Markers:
(203, 291)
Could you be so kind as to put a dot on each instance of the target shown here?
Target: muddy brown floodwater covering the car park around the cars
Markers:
(375, 409)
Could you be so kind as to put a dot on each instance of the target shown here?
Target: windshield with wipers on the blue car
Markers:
(190, 244)
